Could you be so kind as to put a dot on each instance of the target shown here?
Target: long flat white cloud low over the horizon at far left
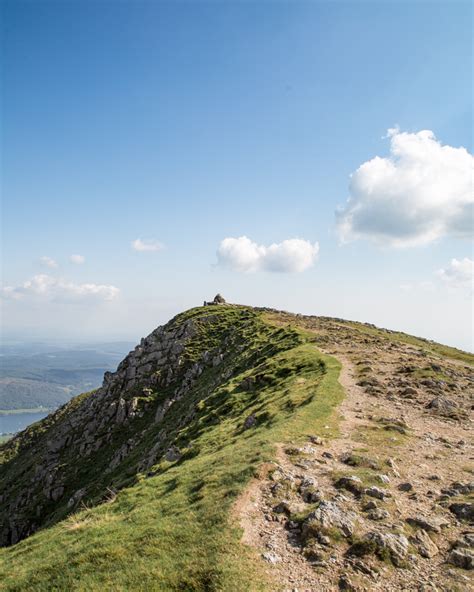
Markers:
(51, 288)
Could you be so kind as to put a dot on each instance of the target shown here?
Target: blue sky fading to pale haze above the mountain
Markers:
(191, 122)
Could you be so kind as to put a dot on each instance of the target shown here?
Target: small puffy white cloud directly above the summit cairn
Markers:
(242, 254)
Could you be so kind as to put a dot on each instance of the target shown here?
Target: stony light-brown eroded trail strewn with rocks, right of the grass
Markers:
(373, 508)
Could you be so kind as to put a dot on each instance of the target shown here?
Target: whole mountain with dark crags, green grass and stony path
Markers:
(238, 448)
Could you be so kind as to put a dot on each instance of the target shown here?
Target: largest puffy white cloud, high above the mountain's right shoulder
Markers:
(422, 192)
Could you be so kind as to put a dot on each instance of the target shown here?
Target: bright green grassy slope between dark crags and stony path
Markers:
(172, 531)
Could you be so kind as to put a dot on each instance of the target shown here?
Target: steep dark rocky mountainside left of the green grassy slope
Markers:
(127, 425)
